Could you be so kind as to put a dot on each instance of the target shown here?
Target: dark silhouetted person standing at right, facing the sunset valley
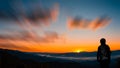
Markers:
(103, 54)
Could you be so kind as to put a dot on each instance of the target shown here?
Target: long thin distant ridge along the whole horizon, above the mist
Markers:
(69, 54)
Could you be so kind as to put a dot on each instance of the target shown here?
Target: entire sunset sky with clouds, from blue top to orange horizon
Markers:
(59, 26)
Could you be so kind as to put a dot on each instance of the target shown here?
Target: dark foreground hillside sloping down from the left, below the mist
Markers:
(17, 59)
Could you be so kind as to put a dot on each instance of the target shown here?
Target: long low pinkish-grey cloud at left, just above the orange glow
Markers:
(49, 36)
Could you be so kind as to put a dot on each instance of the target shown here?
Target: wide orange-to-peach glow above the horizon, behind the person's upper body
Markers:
(58, 47)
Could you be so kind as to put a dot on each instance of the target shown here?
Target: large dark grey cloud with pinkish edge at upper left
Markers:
(33, 13)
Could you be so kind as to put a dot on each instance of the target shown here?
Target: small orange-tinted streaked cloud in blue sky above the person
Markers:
(80, 23)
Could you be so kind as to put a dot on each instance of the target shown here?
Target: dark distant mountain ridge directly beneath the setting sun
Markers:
(81, 54)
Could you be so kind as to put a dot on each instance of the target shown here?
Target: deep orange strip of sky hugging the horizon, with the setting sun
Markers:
(60, 48)
